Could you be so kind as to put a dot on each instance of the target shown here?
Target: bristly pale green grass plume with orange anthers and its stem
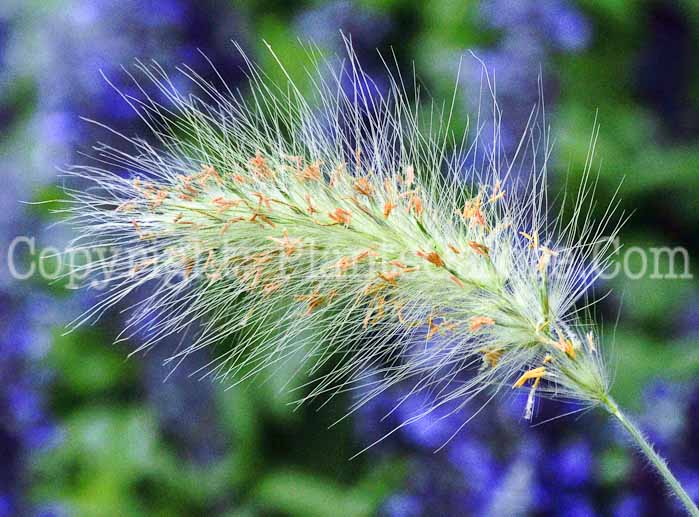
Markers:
(335, 232)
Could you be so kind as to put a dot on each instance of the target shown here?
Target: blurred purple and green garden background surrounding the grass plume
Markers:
(84, 430)
